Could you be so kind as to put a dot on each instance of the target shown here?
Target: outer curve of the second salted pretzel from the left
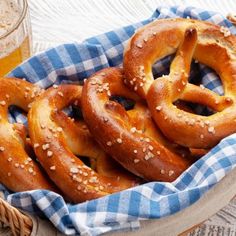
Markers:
(77, 181)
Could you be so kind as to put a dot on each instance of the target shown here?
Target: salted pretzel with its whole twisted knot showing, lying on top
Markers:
(209, 44)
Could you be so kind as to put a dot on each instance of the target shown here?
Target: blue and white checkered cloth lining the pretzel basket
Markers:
(123, 210)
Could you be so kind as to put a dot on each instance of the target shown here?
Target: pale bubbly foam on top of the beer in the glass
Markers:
(9, 15)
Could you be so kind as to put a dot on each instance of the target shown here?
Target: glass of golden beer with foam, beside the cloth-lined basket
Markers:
(15, 34)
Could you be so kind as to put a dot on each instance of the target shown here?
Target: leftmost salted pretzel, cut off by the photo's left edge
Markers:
(18, 171)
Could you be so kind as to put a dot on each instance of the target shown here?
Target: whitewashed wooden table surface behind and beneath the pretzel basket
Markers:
(58, 21)
